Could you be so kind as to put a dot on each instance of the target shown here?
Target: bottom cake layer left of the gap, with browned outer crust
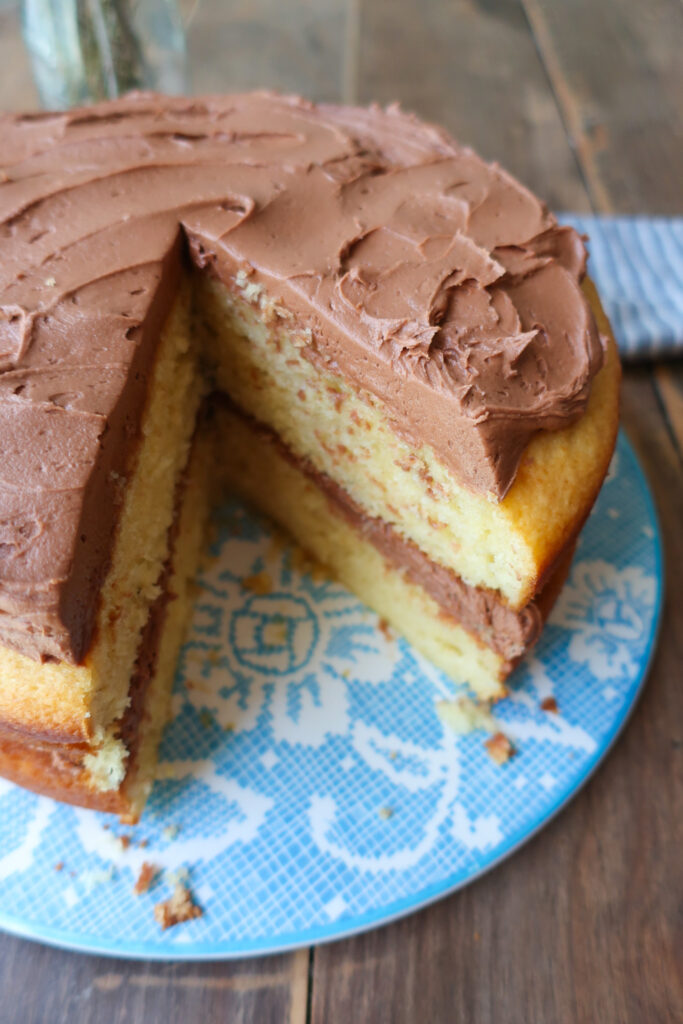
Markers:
(72, 773)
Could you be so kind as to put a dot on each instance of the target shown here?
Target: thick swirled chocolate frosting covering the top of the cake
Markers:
(424, 275)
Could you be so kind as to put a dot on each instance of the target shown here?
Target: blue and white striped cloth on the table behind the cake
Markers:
(637, 266)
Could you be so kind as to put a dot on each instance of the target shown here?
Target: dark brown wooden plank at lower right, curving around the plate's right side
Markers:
(583, 925)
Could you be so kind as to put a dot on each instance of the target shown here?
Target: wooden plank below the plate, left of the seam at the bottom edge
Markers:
(47, 987)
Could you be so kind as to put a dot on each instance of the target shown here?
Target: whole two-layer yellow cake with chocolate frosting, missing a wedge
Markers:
(408, 346)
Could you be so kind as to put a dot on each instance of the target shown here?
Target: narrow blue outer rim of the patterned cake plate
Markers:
(75, 943)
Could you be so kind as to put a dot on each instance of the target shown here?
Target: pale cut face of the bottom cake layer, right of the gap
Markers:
(253, 467)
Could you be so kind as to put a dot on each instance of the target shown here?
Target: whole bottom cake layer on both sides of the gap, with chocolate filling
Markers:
(467, 632)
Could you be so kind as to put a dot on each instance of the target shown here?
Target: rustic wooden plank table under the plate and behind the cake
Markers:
(582, 100)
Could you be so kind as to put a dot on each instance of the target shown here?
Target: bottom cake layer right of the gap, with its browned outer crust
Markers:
(259, 467)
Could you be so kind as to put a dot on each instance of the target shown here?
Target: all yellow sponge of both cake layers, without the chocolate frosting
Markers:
(259, 359)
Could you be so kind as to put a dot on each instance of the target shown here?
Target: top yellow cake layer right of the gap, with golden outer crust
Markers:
(346, 433)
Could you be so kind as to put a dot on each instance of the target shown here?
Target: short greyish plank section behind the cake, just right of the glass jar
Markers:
(257, 45)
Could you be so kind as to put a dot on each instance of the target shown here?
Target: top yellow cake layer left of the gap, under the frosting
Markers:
(80, 703)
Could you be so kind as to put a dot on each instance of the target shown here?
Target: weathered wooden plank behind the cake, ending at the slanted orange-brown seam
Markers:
(472, 66)
